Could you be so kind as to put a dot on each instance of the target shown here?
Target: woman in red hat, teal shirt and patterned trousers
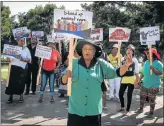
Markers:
(151, 83)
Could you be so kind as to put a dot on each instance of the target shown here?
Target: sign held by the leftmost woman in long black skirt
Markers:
(12, 51)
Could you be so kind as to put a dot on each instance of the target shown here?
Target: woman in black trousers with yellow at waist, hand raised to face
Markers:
(130, 79)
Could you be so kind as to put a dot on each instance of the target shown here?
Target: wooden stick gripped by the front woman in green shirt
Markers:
(70, 66)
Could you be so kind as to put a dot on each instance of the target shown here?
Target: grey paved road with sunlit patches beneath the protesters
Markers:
(33, 113)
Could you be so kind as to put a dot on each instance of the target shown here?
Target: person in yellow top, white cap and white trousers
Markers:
(114, 83)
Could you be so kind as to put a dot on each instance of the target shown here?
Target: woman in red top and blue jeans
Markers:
(48, 69)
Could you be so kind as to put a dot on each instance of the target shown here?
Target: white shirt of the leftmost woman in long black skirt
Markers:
(24, 54)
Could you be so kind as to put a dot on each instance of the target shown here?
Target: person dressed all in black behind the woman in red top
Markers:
(32, 68)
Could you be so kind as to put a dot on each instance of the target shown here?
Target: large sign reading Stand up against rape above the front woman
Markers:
(73, 23)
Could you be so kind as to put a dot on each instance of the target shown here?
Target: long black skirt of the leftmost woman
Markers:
(17, 81)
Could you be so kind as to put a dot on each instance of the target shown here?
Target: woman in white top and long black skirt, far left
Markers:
(18, 73)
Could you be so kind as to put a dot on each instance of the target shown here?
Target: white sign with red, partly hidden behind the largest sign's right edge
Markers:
(96, 35)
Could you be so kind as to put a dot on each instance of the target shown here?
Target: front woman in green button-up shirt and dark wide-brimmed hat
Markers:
(88, 73)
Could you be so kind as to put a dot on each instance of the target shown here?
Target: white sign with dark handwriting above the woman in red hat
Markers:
(150, 34)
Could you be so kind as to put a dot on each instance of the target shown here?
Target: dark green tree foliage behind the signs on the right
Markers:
(133, 15)
